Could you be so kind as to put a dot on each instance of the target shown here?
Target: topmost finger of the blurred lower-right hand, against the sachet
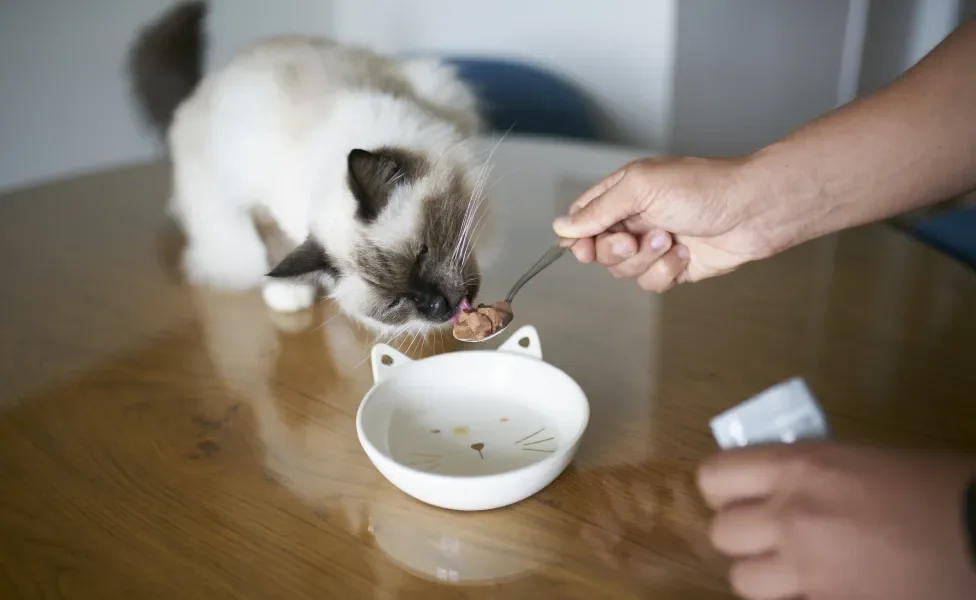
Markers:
(739, 475)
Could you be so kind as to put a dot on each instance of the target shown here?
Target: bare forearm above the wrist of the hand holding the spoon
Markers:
(909, 145)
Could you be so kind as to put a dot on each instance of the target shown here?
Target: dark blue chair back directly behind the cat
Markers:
(527, 99)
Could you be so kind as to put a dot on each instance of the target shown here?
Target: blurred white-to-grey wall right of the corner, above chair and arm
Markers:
(688, 76)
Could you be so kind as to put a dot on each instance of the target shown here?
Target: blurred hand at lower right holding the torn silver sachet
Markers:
(827, 521)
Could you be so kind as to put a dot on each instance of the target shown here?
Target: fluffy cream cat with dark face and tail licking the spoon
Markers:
(366, 166)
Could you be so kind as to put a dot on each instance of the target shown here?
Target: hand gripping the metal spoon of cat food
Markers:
(665, 221)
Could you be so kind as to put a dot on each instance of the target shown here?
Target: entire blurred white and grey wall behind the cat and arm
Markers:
(692, 75)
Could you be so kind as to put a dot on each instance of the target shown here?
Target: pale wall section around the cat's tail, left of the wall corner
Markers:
(64, 105)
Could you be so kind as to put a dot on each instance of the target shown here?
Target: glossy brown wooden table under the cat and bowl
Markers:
(159, 441)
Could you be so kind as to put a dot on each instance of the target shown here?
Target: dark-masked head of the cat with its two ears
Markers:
(410, 261)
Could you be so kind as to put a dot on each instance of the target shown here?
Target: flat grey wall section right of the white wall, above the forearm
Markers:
(748, 72)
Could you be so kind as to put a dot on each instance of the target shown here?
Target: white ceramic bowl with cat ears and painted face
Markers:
(474, 429)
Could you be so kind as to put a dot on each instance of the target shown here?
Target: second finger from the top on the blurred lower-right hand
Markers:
(745, 529)
